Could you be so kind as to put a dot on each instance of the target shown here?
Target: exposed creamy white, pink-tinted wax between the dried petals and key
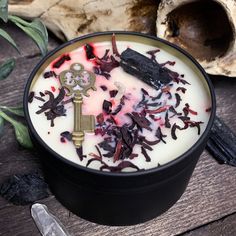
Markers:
(196, 95)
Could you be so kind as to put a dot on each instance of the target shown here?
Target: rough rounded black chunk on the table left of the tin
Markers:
(24, 189)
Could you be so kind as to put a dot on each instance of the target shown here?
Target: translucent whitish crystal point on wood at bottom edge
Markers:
(46, 222)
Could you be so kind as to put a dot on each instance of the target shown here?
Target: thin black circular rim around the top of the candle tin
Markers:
(121, 174)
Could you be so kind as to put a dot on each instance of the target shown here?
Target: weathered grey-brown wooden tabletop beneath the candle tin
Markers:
(208, 207)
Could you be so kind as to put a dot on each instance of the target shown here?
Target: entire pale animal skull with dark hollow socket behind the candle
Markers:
(205, 28)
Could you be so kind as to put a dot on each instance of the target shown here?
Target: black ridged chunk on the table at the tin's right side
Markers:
(222, 143)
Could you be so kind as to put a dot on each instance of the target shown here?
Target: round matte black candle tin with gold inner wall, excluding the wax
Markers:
(117, 198)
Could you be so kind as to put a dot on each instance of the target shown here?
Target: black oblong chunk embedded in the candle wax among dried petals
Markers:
(144, 68)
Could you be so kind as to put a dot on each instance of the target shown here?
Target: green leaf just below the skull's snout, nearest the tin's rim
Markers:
(35, 29)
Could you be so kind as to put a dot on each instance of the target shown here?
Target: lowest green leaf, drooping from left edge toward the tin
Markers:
(21, 131)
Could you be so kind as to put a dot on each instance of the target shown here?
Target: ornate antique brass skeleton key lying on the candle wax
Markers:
(77, 82)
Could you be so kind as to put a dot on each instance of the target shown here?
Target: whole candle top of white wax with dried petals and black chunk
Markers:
(148, 106)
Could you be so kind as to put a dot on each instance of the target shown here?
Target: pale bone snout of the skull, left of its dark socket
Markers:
(68, 19)
